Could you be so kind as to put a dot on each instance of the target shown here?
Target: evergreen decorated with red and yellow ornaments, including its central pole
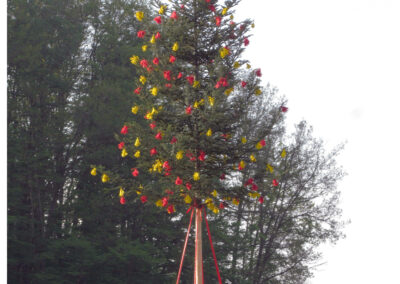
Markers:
(185, 144)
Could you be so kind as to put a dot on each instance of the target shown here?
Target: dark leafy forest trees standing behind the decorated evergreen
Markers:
(69, 91)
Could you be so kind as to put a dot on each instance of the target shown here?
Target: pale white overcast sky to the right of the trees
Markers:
(338, 63)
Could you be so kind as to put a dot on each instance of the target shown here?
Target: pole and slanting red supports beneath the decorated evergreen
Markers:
(198, 256)
